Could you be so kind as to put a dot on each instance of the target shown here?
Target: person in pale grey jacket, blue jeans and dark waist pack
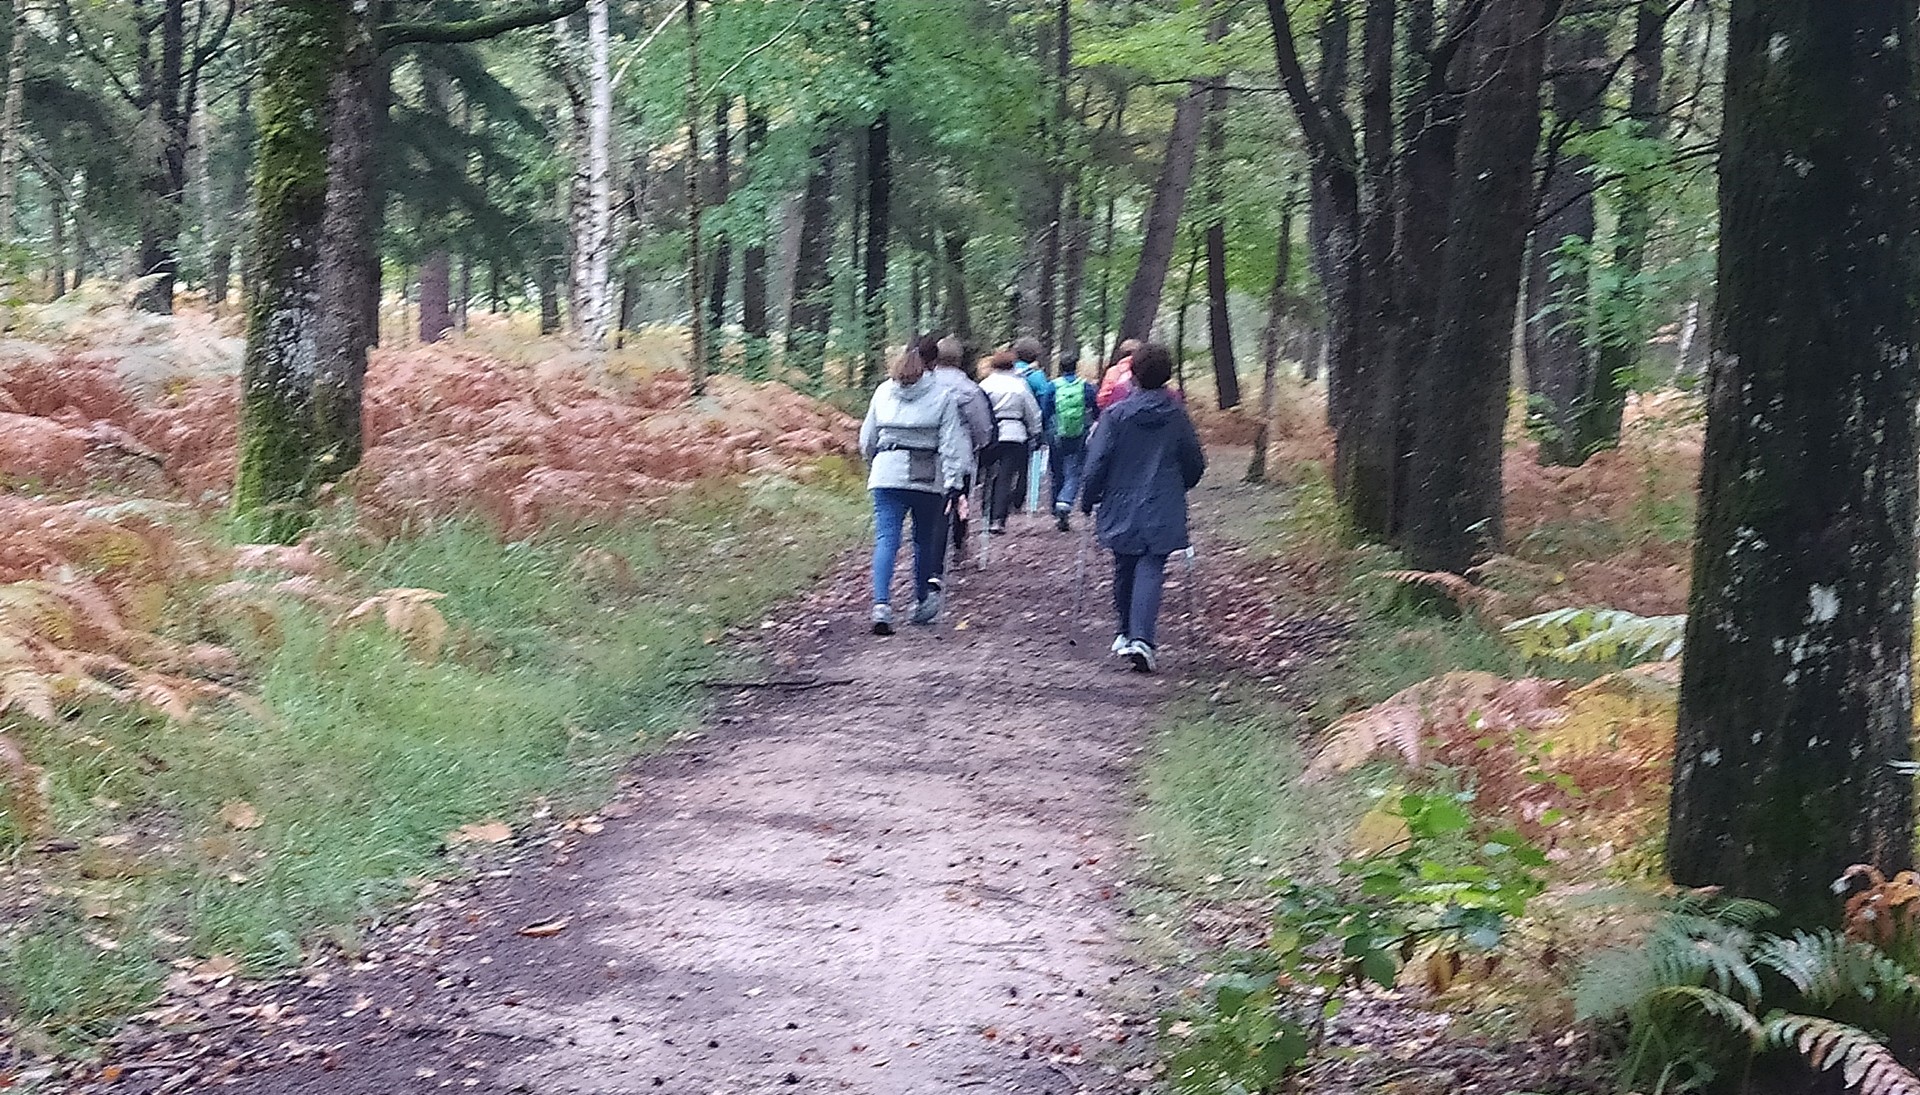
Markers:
(919, 449)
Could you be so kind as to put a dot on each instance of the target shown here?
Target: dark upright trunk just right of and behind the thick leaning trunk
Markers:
(1562, 374)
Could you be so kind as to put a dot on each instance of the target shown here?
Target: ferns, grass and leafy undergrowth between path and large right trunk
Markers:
(1374, 856)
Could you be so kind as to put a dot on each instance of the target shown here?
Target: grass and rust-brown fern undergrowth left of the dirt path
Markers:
(220, 756)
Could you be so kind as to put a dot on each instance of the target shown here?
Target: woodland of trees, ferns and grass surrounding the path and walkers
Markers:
(400, 399)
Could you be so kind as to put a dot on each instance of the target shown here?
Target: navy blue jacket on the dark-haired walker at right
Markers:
(1143, 460)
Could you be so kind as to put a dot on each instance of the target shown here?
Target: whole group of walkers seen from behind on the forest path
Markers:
(1122, 449)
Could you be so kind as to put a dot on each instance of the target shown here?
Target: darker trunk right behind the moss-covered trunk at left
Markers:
(350, 262)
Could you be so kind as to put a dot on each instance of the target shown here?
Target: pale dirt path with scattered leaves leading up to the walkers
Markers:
(903, 885)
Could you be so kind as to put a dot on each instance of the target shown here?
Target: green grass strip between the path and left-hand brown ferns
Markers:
(554, 679)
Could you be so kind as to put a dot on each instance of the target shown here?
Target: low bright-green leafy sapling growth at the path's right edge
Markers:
(1447, 887)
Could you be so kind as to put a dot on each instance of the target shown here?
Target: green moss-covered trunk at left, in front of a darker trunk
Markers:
(304, 43)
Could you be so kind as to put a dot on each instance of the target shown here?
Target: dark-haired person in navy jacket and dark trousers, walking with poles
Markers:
(1141, 464)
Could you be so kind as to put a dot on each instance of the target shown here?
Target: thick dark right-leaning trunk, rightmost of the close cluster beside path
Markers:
(1454, 506)
